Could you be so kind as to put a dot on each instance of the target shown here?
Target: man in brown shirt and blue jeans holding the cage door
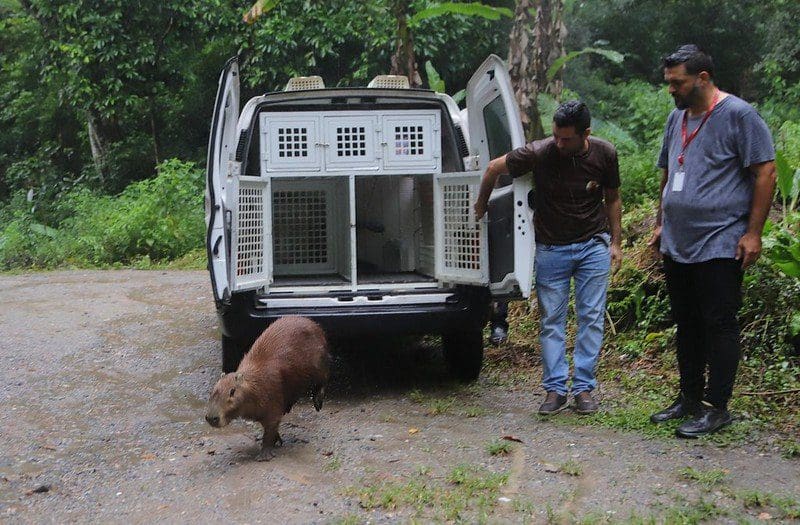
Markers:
(577, 223)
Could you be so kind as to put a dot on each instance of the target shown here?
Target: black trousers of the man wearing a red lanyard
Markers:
(705, 298)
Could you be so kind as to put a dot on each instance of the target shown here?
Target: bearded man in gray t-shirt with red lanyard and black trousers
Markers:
(716, 190)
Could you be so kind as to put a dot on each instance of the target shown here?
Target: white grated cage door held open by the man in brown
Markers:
(460, 239)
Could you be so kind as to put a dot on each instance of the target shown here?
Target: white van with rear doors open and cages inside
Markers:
(353, 206)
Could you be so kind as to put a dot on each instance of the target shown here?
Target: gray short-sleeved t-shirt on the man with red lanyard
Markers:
(705, 218)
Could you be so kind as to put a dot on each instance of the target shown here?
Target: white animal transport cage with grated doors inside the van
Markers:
(345, 199)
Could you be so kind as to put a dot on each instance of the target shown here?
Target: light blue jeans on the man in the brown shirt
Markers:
(588, 263)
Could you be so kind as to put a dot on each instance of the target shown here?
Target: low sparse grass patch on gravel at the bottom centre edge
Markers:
(467, 493)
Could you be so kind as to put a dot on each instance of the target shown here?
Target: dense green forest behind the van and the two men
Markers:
(105, 109)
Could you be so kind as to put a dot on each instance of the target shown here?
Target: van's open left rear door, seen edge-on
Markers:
(221, 147)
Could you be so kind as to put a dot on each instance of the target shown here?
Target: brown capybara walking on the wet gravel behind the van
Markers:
(289, 360)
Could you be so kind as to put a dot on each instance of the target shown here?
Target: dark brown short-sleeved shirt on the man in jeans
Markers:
(568, 191)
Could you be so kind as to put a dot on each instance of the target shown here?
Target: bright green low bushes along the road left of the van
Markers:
(157, 219)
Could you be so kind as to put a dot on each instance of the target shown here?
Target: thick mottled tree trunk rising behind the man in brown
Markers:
(536, 41)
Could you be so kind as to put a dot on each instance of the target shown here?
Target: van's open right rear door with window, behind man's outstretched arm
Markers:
(495, 128)
